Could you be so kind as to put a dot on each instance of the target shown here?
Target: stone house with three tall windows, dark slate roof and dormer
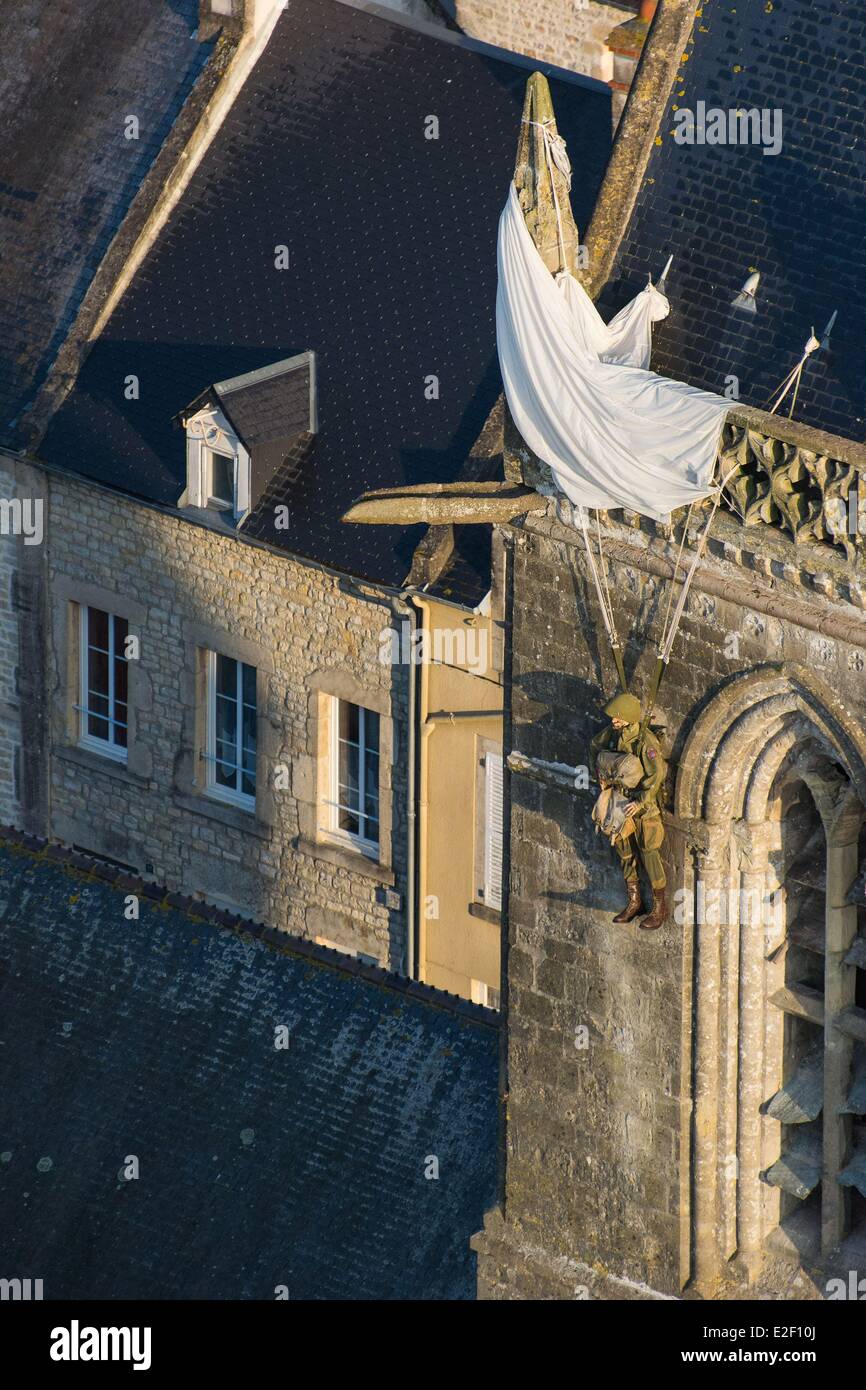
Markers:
(165, 566)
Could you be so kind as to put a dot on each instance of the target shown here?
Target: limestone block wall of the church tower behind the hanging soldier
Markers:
(605, 1075)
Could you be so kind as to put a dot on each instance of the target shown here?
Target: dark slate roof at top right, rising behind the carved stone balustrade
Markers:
(797, 218)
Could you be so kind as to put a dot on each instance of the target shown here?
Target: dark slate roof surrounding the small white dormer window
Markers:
(393, 269)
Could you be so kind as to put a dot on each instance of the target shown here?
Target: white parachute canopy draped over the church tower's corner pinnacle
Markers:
(580, 393)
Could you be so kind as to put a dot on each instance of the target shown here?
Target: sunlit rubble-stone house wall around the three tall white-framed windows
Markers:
(186, 589)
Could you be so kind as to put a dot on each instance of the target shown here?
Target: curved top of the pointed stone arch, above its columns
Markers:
(740, 740)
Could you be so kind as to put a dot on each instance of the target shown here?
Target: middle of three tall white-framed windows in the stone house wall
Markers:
(231, 730)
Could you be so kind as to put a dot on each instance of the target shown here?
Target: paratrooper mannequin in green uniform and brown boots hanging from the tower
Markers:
(644, 832)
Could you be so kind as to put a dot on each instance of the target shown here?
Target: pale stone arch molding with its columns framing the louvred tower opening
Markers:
(761, 725)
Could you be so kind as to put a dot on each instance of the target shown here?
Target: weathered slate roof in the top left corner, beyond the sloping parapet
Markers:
(70, 74)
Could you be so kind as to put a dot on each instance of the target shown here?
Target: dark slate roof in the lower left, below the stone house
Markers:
(258, 1167)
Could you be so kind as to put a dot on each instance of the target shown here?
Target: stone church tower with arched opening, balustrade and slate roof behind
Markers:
(685, 1111)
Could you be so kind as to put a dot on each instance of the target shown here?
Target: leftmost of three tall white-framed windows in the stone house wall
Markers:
(102, 707)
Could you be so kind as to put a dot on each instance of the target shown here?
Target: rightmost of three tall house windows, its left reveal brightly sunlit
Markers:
(355, 776)
